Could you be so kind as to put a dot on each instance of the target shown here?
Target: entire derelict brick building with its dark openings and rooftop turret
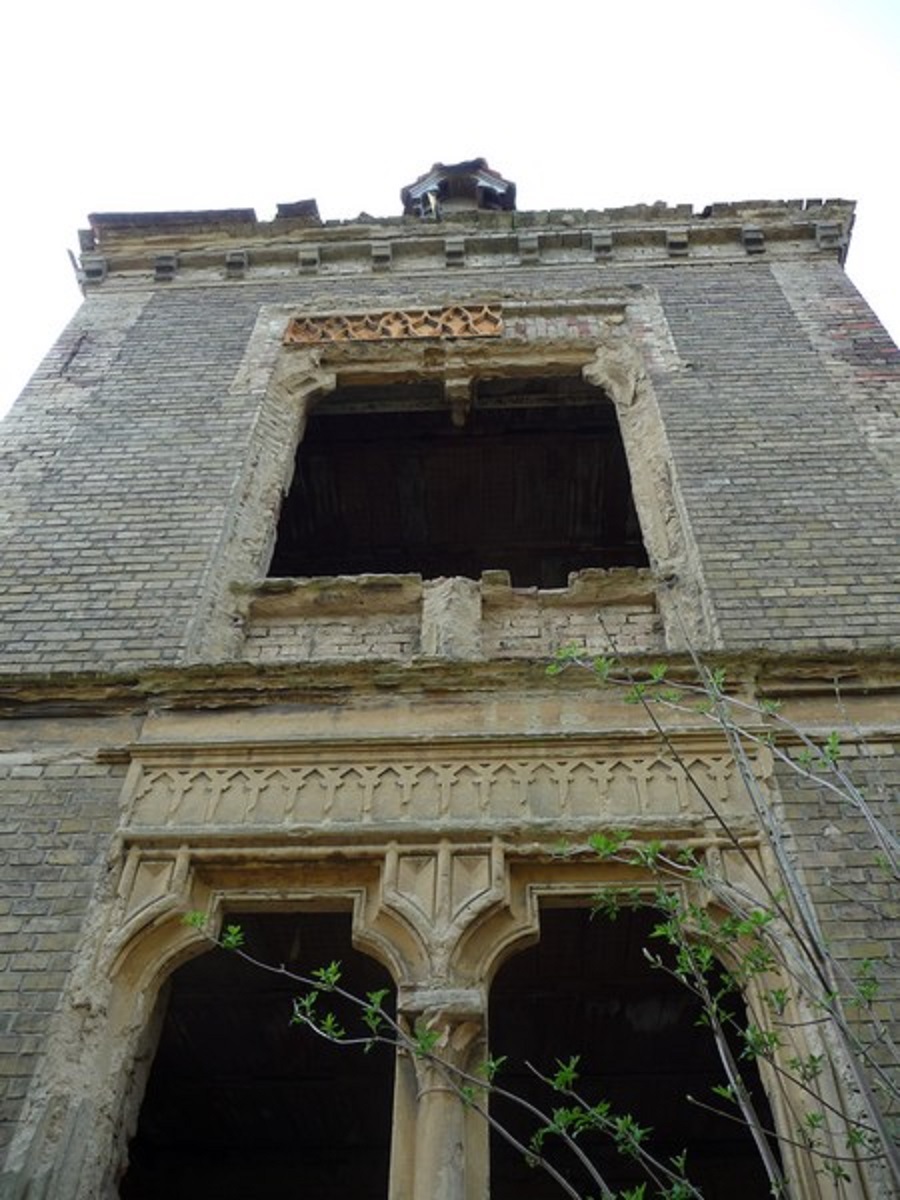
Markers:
(292, 520)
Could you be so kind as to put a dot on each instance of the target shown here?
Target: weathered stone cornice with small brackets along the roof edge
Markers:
(232, 247)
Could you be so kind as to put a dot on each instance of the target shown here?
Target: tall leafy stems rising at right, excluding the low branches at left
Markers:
(813, 1018)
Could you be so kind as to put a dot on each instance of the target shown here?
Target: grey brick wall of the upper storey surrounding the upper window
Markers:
(121, 466)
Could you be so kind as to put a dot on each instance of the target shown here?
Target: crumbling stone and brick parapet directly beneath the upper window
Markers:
(403, 617)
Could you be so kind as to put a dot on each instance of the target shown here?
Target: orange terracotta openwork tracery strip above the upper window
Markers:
(397, 325)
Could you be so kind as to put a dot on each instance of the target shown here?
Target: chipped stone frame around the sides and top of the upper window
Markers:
(293, 380)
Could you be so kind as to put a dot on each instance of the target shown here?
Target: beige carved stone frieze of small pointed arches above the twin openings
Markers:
(337, 795)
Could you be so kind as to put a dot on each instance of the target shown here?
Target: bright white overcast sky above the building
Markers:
(122, 107)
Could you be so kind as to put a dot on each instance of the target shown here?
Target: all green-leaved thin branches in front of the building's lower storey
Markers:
(773, 994)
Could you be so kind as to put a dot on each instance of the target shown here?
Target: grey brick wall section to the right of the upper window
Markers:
(795, 517)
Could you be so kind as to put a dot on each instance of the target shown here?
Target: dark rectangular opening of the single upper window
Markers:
(536, 482)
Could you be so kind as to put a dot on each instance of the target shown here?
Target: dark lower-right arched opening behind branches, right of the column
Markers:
(587, 989)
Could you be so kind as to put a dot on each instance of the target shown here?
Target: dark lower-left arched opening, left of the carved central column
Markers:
(241, 1103)
